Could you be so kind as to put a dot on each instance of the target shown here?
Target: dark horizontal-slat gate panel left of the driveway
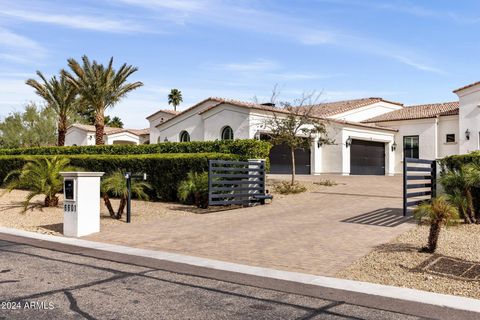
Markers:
(235, 182)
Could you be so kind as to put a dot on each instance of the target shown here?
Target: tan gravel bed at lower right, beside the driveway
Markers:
(453, 269)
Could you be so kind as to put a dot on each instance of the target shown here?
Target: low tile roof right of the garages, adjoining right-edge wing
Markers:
(418, 112)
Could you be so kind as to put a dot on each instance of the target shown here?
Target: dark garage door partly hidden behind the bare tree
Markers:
(281, 160)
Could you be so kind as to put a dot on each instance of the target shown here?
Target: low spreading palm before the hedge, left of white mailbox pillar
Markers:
(39, 176)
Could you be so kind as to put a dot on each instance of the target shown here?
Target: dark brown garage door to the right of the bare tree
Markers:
(367, 158)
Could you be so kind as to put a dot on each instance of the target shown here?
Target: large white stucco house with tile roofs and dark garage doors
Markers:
(372, 135)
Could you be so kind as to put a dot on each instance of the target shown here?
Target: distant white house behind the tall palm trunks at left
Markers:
(84, 135)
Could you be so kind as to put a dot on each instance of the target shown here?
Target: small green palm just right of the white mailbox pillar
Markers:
(115, 184)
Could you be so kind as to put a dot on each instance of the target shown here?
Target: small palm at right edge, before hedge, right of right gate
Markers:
(460, 182)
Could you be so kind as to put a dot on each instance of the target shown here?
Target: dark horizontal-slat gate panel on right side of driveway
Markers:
(418, 174)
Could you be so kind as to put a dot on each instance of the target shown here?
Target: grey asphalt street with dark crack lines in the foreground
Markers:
(42, 283)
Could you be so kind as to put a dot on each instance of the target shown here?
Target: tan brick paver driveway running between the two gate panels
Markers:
(318, 232)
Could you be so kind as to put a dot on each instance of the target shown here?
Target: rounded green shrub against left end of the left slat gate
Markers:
(194, 189)
